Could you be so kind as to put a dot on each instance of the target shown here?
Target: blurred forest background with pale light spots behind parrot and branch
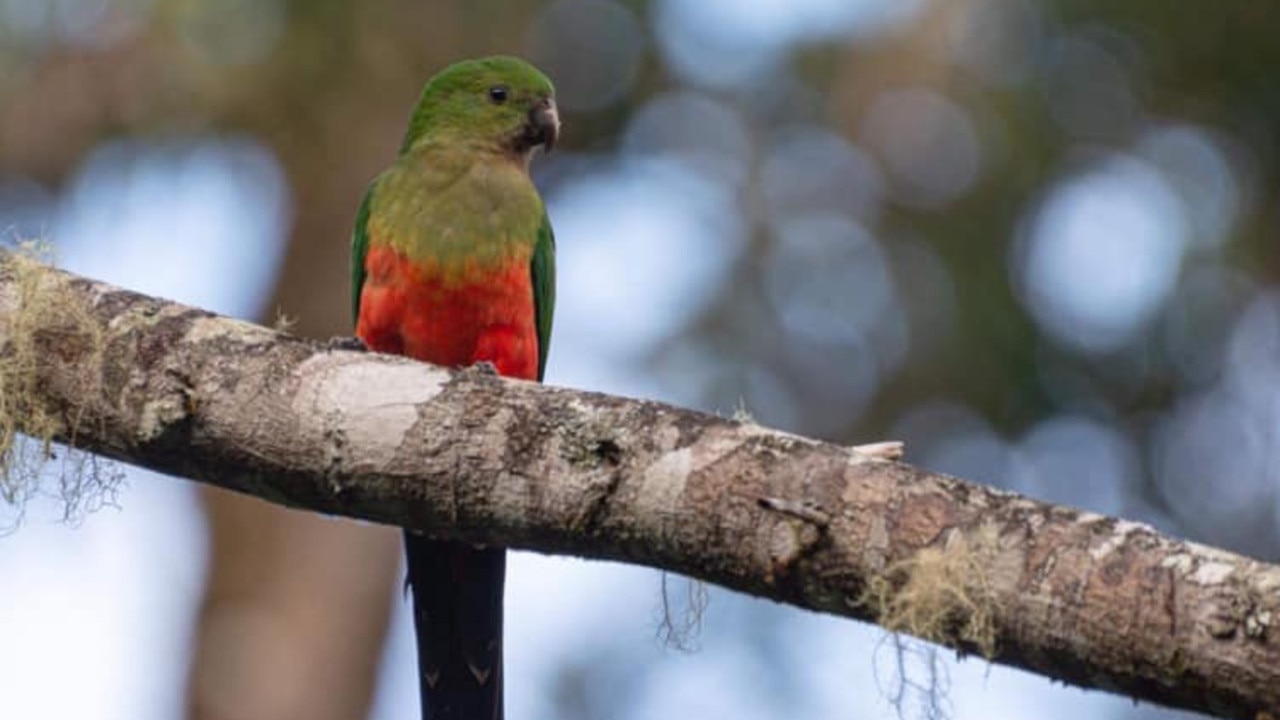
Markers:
(1035, 240)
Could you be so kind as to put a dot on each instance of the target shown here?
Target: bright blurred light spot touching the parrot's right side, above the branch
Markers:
(629, 225)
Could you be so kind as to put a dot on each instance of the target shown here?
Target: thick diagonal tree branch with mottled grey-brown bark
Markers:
(1078, 598)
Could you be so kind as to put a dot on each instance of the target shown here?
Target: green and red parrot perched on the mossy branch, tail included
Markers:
(454, 263)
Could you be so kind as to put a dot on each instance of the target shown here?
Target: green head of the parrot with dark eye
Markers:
(487, 102)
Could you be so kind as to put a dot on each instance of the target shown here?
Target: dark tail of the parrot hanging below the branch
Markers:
(458, 618)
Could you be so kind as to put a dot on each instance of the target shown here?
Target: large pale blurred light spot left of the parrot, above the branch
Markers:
(134, 208)
